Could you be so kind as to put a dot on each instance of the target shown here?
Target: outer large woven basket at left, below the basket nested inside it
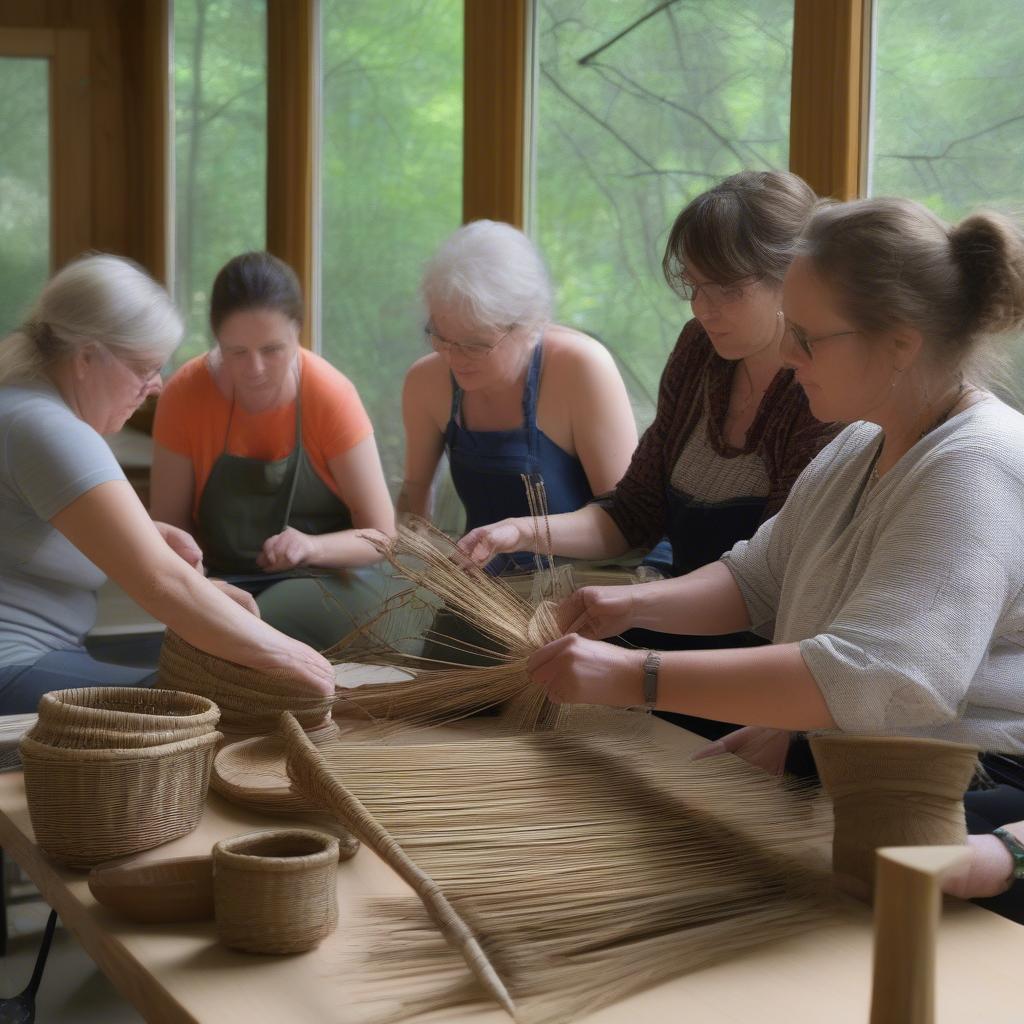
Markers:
(89, 806)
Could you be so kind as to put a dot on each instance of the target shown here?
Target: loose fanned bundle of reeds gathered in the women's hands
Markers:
(439, 693)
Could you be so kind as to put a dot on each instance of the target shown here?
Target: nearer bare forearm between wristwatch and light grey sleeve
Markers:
(770, 687)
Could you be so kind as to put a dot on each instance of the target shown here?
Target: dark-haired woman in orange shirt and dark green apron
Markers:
(266, 452)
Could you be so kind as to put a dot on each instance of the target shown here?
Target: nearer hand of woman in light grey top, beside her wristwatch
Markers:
(575, 670)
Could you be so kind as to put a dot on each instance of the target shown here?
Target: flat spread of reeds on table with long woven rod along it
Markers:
(565, 871)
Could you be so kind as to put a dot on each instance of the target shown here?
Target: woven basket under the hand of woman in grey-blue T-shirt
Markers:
(250, 702)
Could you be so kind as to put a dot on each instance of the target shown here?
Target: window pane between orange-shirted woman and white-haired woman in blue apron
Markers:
(392, 188)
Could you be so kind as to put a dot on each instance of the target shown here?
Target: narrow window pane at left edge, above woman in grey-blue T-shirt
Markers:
(25, 186)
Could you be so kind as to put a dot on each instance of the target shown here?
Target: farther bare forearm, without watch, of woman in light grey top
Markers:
(705, 603)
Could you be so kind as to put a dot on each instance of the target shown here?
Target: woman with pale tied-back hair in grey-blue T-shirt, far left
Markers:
(91, 353)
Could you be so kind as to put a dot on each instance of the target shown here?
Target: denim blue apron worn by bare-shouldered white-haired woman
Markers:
(488, 466)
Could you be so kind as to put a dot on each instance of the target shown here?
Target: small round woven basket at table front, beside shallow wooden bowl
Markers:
(276, 891)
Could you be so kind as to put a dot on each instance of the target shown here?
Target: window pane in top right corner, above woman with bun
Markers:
(949, 105)
